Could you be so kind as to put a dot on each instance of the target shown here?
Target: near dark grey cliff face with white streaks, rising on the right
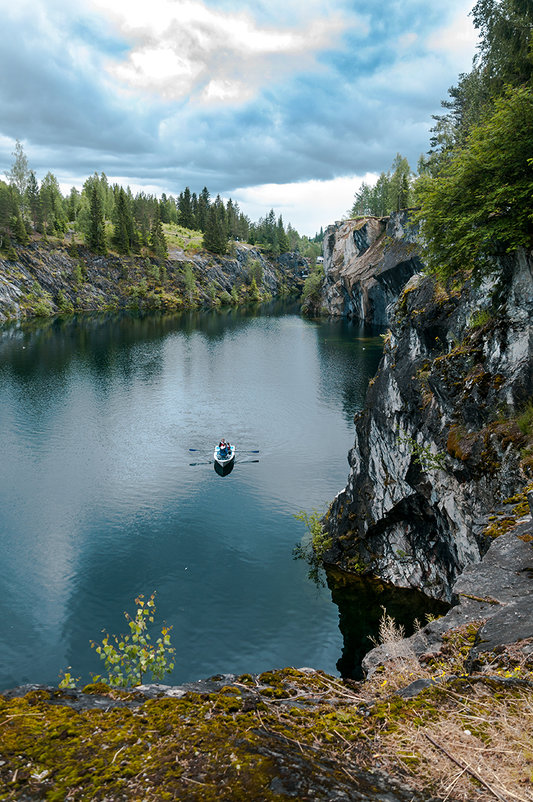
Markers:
(438, 445)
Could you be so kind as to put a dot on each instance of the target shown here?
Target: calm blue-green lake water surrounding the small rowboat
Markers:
(98, 502)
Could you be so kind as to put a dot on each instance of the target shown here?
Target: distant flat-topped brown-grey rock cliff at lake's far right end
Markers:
(366, 265)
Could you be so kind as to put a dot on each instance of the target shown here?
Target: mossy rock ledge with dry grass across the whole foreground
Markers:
(446, 714)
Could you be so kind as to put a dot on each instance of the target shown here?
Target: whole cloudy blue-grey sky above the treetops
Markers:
(285, 104)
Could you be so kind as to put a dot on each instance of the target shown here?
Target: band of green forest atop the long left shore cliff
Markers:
(108, 217)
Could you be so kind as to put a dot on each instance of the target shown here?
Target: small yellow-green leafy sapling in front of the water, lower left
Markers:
(129, 658)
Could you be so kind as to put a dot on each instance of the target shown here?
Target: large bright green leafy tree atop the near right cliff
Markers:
(482, 203)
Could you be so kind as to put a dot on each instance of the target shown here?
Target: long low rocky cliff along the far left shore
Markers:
(47, 279)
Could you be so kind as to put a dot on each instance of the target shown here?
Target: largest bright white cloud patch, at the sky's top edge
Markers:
(181, 48)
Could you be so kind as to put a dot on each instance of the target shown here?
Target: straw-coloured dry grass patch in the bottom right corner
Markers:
(489, 735)
